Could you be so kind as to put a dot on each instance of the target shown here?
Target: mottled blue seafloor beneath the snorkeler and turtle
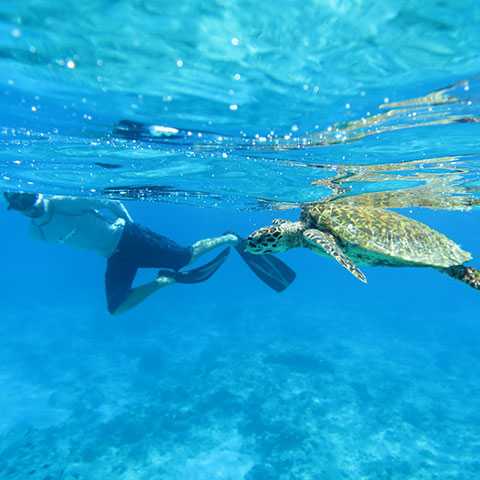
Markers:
(247, 393)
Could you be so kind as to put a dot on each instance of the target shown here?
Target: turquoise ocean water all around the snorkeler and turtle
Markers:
(268, 106)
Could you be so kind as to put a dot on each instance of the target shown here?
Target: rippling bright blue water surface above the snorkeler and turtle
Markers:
(206, 104)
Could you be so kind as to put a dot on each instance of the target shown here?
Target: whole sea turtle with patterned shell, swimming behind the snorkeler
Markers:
(365, 235)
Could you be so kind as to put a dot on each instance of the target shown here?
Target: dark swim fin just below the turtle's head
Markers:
(271, 270)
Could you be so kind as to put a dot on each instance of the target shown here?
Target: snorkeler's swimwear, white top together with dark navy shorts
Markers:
(106, 227)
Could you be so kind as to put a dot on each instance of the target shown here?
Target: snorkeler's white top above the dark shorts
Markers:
(91, 224)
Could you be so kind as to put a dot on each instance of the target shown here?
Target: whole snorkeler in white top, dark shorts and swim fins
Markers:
(106, 227)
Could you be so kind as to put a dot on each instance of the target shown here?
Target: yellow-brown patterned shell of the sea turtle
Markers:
(386, 234)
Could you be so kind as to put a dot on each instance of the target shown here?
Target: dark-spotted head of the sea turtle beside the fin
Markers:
(276, 238)
